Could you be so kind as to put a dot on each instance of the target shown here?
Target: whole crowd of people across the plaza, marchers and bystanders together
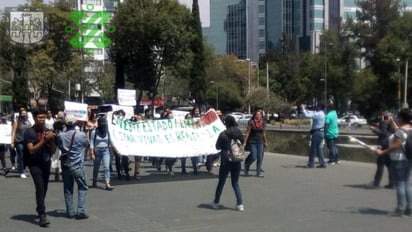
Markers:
(63, 145)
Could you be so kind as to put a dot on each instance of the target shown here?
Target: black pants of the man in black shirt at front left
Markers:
(40, 175)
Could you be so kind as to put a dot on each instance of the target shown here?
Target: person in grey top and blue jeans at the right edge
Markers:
(399, 149)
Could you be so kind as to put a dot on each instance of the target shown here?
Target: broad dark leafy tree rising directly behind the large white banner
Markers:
(151, 36)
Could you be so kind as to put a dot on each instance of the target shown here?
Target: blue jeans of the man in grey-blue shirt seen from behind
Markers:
(69, 177)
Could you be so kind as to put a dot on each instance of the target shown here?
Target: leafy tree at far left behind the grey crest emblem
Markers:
(41, 68)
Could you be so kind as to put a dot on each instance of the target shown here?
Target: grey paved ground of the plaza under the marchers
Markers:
(289, 198)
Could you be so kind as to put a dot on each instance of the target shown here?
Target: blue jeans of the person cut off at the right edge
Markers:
(401, 172)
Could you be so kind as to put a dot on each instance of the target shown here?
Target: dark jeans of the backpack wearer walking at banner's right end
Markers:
(234, 169)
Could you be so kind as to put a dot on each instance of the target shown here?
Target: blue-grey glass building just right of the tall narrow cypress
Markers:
(233, 26)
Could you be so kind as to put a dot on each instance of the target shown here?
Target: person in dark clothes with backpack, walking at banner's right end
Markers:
(223, 144)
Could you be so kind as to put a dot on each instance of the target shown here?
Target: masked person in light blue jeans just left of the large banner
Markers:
(100, 151)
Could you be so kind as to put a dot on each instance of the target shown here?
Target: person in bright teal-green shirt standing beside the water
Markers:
(331, 134)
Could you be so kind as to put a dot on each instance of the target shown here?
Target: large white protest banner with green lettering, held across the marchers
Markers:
(166, 138)
